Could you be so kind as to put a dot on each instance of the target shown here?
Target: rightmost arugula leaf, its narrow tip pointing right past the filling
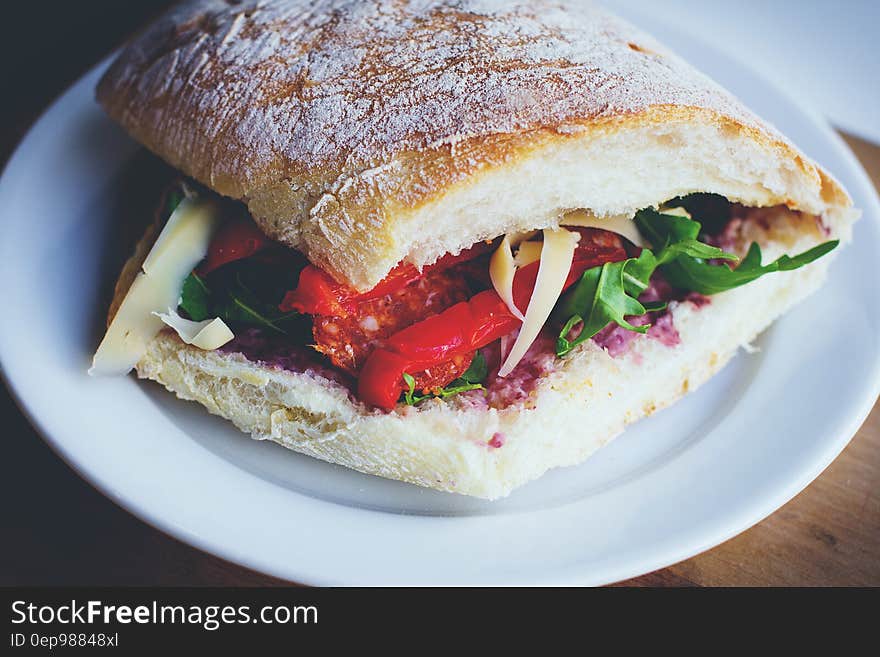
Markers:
(694, 274)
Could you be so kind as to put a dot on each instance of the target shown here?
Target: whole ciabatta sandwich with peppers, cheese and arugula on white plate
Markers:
(454, 243)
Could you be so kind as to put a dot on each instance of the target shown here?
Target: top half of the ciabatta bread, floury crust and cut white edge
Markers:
(364, 132)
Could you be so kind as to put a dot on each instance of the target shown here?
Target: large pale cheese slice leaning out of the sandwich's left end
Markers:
(182, 243)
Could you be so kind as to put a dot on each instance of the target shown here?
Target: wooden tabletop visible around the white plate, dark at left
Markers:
(58, 530)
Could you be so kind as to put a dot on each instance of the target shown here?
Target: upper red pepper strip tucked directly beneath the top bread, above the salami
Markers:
(319, 294)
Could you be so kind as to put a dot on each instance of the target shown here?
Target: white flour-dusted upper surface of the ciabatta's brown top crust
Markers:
(347, 85)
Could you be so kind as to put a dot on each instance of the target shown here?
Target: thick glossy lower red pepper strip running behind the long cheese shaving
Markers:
(468, 325)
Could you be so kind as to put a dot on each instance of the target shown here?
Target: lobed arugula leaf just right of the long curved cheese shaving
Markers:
(601, 297)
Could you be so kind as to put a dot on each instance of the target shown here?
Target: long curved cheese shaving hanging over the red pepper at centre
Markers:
(556, 257)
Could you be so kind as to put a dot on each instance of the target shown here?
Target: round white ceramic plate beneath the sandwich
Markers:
(670, 487)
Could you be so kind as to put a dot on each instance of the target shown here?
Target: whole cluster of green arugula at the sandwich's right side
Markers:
(609, 293)
